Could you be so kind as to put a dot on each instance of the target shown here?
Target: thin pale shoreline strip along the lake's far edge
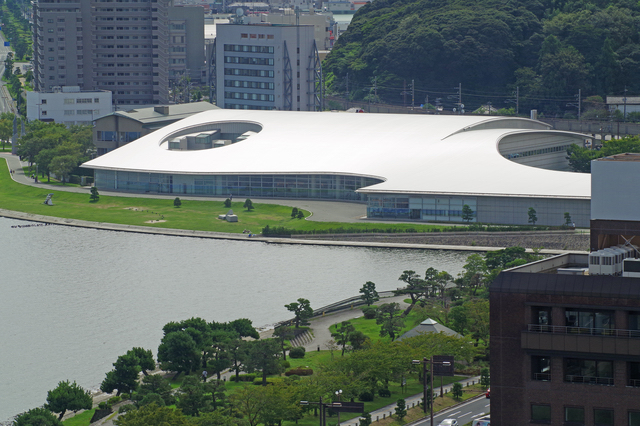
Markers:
(243, 237)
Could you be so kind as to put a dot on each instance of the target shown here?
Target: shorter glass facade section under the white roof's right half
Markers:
(438, 209)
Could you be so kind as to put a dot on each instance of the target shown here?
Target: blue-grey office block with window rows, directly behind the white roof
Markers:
(267, 67)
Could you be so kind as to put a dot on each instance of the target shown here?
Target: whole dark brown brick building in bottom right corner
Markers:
(565, 349)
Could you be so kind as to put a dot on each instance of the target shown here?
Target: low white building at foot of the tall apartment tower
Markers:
(68, 105)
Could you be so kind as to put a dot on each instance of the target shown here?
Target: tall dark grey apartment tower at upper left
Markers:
(110, 45)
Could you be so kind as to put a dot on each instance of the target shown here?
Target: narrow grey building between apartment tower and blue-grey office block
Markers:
(186, 41)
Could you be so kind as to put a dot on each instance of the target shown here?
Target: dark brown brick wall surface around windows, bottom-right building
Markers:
(515, 391)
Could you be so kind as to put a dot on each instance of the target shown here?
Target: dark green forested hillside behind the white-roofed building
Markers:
(549, 49)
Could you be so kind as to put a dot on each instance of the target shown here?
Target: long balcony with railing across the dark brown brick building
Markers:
(581, 339)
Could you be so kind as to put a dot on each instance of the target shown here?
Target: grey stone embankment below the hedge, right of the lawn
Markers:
(552, 240)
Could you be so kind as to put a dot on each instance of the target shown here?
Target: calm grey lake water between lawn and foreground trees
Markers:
(73, 299)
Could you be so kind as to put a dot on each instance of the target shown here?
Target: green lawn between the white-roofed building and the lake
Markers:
(192, 215)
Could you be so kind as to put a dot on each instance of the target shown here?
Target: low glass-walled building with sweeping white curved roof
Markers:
(409, 166)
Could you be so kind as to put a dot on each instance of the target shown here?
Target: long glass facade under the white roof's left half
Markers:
(282, 186)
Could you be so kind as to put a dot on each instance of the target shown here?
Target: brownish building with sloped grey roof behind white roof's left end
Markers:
(121, 127)
